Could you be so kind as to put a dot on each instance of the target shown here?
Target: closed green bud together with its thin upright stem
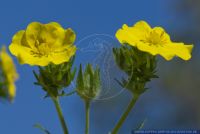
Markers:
(88, 87)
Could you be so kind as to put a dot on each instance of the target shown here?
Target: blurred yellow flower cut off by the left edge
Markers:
(9, 72)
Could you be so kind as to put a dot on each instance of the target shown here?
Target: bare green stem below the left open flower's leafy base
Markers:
(60, 114)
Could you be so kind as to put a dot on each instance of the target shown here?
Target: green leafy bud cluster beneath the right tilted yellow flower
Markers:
(139, 66)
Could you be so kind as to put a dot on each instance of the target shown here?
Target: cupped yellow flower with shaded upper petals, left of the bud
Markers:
(41, 44)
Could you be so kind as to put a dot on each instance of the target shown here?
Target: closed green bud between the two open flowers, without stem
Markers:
(88, 83)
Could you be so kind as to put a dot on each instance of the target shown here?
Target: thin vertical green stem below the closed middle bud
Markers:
(87, 116)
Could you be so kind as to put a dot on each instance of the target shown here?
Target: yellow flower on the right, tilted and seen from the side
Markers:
(153, 40)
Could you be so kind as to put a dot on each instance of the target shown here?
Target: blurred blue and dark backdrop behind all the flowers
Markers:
(172, 102)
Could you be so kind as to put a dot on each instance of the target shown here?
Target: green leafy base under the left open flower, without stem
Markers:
(53, 78)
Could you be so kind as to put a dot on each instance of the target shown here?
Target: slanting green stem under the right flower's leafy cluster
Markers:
(125, 115)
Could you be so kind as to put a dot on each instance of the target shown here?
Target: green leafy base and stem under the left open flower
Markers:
(54, 79)
